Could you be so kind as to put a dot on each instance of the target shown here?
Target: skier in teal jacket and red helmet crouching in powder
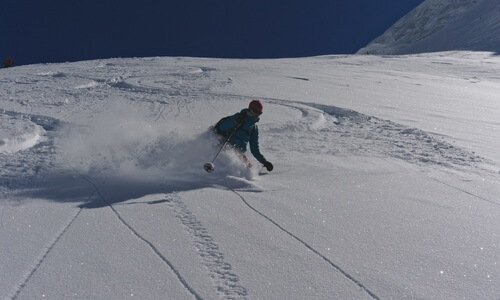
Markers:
(242, 129)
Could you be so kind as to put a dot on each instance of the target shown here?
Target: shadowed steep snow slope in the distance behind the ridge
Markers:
(441, 25)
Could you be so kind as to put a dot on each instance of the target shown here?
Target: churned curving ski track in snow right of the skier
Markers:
(352, 132)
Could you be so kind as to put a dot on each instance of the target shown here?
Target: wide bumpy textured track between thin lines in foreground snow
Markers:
(227, 282)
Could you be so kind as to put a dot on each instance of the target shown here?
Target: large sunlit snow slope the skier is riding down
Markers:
(385, 183)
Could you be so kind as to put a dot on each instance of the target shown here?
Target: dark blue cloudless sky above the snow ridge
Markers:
(36, 31)
